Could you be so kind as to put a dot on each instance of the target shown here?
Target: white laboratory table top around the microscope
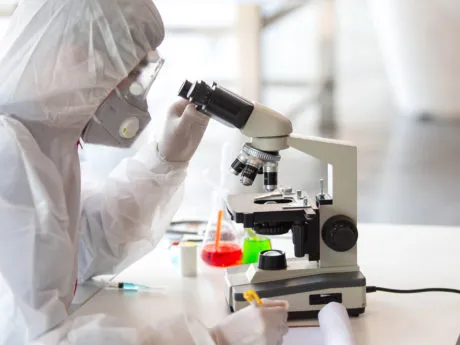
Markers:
(389, 256)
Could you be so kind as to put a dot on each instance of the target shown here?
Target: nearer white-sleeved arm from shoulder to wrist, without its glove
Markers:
(37, 260)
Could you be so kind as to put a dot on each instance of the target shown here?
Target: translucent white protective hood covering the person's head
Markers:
(61, 58)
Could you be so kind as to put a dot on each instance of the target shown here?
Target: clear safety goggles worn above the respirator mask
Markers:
(145, 73)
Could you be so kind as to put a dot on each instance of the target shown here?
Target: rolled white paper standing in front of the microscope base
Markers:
(335, 325)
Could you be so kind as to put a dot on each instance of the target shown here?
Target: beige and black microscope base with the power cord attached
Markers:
(306, 295)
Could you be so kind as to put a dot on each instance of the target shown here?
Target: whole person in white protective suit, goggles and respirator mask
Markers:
(74, 70)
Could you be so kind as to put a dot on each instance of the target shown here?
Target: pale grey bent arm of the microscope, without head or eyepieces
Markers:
(342, 168)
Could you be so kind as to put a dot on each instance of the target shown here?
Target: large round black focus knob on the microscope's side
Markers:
(340, 233)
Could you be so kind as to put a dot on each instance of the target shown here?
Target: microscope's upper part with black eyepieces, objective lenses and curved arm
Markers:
(271, 132)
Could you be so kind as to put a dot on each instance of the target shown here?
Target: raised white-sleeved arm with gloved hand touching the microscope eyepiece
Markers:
(125, 217)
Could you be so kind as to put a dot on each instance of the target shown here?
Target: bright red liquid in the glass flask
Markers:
(227, 254)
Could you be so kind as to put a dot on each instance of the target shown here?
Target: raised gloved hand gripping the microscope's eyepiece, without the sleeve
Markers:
(183, 131)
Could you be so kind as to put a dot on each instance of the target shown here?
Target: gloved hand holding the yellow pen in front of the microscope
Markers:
(255, 325)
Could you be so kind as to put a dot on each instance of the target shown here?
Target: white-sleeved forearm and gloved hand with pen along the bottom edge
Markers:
(266, 324)
